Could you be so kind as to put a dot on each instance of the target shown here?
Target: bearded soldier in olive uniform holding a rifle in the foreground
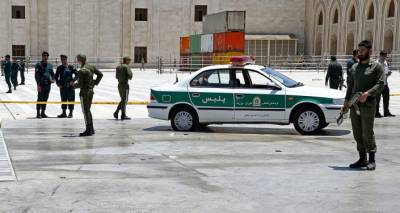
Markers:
(365, 77)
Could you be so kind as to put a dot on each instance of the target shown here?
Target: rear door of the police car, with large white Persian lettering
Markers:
(211, 92)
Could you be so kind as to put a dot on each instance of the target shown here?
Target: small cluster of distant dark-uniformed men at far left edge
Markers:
(10, 70)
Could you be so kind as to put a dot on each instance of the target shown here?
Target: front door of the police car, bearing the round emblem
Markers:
(257, 98)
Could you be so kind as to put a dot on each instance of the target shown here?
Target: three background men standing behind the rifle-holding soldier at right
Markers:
(336, 79)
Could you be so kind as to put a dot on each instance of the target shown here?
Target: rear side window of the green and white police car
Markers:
(212, 79)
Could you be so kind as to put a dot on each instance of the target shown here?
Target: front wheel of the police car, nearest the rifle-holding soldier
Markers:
(308, 121)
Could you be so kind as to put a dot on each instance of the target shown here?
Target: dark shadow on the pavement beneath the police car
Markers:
(250, 130)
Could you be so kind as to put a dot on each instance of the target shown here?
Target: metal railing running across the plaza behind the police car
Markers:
(193, 63)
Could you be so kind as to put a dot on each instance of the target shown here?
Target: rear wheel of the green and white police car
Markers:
(184, 119)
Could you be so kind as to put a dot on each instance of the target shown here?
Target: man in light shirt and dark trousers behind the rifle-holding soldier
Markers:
(386, 92)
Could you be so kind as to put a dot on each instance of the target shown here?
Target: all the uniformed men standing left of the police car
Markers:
(68, 78)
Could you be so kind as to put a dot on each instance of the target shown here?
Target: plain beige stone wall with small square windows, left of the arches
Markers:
(108, 29)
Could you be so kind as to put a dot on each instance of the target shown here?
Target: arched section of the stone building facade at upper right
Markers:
(334, 27)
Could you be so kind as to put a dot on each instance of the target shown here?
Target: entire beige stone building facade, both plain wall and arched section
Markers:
(110, 29)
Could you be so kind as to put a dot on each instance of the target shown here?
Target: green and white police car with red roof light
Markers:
(243, 92)
